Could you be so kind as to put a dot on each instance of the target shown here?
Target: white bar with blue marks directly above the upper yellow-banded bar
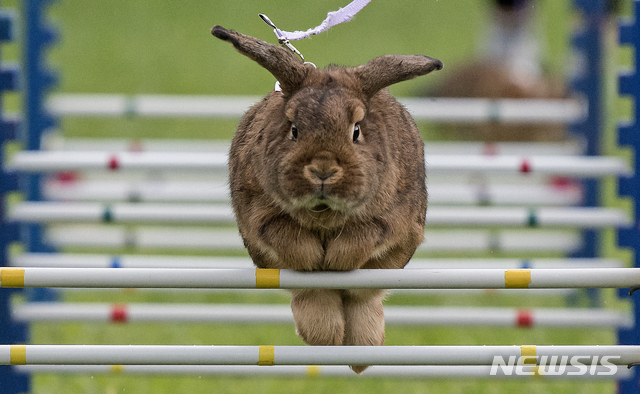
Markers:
(78, 260)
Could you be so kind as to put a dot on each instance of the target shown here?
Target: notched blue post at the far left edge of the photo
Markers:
(11, 382)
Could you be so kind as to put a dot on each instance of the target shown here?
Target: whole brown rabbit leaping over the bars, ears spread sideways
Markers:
(328, 175)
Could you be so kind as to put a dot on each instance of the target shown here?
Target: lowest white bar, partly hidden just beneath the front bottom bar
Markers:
(376, 371)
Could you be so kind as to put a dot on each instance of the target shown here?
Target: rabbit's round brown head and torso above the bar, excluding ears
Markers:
(369, 214)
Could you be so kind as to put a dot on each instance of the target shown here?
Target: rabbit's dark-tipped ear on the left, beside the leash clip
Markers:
(280, 62)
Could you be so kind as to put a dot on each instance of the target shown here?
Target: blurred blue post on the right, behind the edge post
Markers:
(587, 83)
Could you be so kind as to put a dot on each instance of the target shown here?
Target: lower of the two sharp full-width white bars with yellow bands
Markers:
(311, 355)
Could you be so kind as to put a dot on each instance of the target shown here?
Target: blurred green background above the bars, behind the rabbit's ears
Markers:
(166, 47)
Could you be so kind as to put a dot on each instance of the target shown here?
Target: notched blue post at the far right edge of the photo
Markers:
(629, 136)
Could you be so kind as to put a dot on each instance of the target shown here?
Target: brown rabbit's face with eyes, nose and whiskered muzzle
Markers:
(331, 161)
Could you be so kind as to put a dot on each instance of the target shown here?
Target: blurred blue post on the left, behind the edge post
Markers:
(38, 36)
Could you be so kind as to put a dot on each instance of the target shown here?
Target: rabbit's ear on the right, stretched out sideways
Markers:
(386, 70)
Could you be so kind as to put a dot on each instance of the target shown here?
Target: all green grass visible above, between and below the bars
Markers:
(144, 46)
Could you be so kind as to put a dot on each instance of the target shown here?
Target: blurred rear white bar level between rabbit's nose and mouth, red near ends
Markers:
(208, 191)
